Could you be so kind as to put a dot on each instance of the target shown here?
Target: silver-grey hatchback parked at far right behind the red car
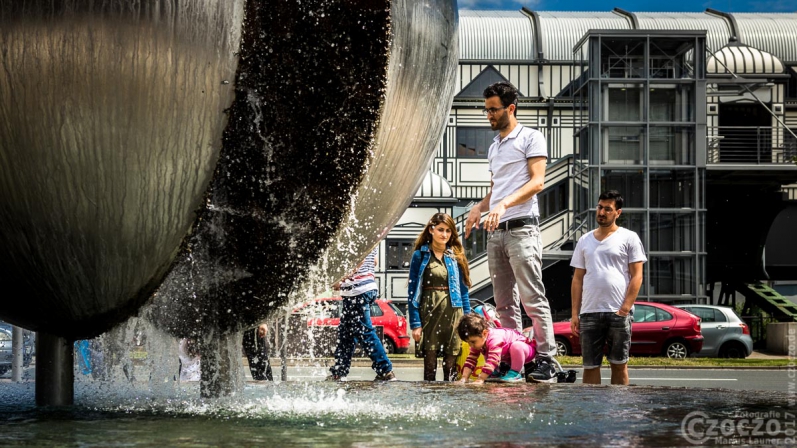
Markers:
(725, 335)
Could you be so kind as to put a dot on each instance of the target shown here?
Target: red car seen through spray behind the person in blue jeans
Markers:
(325, 312)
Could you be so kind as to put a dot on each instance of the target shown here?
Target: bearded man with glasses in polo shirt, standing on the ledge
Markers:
(517, 160)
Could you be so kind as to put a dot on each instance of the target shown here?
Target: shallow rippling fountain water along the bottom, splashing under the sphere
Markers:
(397, 414)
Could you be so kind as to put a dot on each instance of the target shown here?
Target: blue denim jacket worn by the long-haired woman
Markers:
(457, 289)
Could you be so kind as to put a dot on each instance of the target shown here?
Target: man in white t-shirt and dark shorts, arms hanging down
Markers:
(608, 274)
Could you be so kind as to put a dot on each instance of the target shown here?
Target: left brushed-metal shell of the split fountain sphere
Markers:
(111, 114)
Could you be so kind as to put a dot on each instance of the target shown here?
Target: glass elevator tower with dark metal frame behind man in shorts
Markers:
(639, 109)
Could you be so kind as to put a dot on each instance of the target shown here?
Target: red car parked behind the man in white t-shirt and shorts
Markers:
(657, 330)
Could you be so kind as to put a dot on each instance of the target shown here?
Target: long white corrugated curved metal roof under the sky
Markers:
(510, 35)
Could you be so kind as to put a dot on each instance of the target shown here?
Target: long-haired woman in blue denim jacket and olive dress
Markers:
(438, 295)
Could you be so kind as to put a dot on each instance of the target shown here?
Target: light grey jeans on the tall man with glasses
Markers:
(515, 260)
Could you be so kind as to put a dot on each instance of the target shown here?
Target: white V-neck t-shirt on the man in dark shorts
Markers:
(606, 262)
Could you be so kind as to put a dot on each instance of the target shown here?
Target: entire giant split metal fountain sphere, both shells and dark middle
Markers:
(238, 146)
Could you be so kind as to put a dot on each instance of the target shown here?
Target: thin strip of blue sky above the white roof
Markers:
(635, 5)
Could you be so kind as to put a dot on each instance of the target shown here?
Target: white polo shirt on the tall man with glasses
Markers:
(508, 162)
